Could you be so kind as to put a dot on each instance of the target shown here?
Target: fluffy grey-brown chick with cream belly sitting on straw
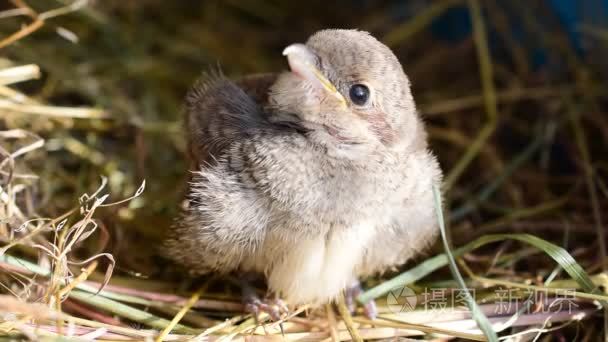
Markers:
(315, 177)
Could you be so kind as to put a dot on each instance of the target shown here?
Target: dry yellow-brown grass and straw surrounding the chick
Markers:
(90, 99)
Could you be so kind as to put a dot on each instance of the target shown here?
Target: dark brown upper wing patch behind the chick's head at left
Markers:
(220, 111)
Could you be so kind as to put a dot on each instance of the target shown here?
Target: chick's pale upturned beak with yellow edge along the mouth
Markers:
(302, 62)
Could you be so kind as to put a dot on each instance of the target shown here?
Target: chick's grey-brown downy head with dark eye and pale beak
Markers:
(347, 90)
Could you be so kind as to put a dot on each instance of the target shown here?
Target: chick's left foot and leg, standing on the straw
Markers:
(272, 305)
